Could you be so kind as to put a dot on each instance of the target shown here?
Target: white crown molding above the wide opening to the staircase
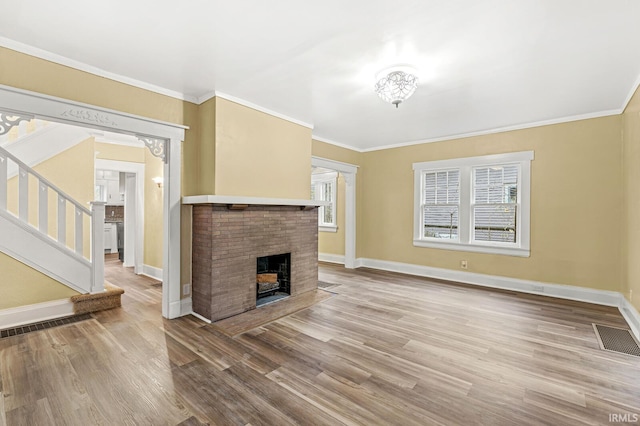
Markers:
(81, 66)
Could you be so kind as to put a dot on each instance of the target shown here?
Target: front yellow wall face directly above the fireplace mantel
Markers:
(259, 155)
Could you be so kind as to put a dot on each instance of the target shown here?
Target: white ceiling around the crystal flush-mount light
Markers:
(483, 65)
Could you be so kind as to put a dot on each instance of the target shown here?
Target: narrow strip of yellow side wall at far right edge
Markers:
(631, 167)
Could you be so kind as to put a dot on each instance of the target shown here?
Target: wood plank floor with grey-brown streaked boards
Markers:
(386, 349)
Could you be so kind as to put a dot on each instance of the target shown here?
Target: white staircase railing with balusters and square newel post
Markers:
(33, 212)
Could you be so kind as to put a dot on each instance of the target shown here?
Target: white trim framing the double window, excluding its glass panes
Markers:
(466, 165)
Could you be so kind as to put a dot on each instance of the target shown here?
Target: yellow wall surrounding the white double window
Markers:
(576, 188)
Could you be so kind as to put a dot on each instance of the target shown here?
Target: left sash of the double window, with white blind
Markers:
(441, 204)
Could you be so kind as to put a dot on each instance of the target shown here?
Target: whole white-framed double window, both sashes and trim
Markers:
(474, 204)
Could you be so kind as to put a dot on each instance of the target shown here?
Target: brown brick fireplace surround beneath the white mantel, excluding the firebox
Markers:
(228, 240)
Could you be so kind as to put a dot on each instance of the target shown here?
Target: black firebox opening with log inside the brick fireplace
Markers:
(273, 278)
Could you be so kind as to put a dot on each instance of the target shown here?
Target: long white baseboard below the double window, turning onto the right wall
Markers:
(561, 291)
